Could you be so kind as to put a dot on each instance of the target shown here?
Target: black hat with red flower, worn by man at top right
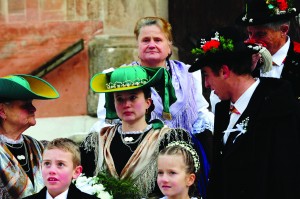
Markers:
(258, 12)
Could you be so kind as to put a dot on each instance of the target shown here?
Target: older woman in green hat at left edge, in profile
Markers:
(20, 155)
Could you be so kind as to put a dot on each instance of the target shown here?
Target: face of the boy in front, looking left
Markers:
(58, 170)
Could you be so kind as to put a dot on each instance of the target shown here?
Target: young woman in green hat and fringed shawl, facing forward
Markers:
(128, 150)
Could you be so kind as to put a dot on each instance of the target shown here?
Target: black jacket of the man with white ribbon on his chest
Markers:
(264, 162)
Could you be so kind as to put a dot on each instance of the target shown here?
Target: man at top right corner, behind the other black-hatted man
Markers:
(268, 22)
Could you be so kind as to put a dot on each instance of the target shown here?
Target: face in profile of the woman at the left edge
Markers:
(19, 114)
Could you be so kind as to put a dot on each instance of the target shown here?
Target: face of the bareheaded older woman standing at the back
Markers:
(153, 46)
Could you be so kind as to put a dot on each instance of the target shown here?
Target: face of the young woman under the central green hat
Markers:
(131, 106)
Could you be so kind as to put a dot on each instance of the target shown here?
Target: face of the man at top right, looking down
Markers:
(273, 39)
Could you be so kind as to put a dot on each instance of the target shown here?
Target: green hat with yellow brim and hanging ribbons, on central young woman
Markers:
(134, 77)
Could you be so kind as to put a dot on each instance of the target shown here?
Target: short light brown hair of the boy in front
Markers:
(67, 145)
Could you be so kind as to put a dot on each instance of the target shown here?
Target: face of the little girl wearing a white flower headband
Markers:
(172, 179)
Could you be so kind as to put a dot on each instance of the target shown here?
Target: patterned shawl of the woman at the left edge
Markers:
(14, 182)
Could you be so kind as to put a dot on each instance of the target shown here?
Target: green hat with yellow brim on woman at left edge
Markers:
(26, 87)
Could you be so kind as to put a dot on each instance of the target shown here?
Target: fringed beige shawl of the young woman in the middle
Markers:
(142, 166)
